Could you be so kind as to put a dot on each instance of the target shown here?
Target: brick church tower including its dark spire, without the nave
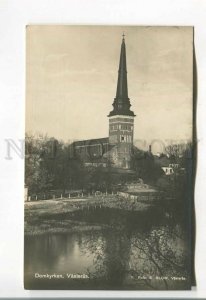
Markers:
(121, 118)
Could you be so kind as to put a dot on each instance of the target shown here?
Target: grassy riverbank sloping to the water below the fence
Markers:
(57, 216)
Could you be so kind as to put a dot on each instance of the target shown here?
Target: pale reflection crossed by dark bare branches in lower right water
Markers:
(161, 253)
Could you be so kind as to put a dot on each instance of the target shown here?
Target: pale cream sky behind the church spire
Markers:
(71, 79)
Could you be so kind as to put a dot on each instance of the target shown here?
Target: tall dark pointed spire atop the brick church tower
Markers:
(121, 103)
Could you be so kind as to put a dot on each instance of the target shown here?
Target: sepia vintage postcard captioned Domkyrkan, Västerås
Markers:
(108, 158)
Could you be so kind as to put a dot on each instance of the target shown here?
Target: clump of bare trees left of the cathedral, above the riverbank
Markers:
(49, 166)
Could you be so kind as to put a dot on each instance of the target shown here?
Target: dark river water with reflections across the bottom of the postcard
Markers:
(133, 254)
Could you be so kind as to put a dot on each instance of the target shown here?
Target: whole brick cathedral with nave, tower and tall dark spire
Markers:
(115, 150)
